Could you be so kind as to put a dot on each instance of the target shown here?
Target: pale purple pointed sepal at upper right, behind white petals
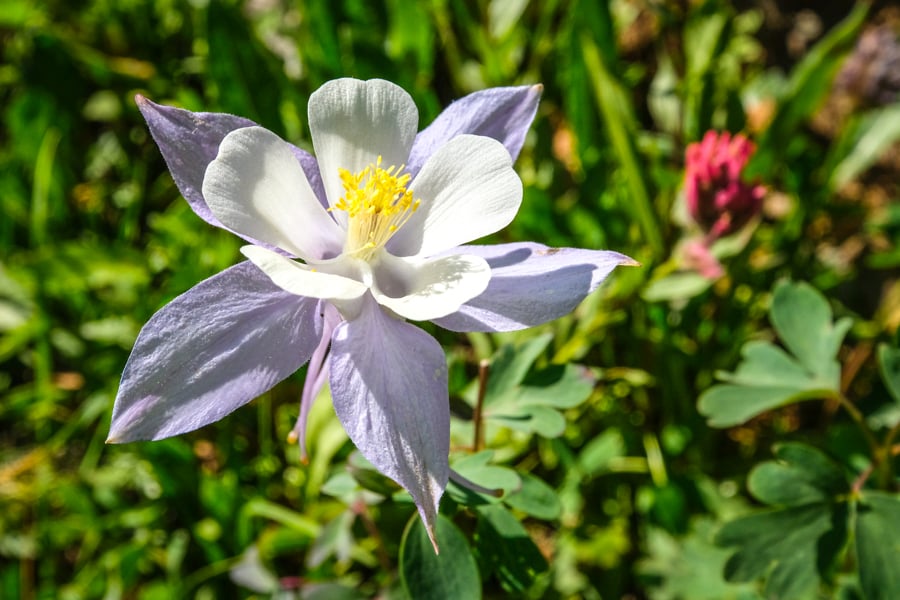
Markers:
(503, 113)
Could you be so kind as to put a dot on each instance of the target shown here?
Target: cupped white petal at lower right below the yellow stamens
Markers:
(422, 290)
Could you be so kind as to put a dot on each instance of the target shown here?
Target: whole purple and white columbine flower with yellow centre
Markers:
(343, 249)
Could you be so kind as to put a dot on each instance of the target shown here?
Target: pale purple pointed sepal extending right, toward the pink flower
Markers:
(531, 284)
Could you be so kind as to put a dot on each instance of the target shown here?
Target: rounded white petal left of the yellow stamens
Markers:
(257, 187)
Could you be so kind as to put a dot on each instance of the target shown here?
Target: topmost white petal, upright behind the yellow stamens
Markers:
(353, 122)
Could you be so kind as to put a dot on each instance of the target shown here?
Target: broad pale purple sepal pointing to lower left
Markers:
(211, 350)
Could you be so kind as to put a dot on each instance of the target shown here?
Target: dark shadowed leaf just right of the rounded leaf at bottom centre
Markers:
(505, 548)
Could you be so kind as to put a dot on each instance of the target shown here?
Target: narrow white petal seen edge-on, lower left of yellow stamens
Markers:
(300, 279)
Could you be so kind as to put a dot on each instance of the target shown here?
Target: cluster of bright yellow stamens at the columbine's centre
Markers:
(377, 204)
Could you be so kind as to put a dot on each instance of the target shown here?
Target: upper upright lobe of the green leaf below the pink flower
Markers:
(803, 320)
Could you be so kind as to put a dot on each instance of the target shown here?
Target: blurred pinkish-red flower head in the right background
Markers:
(717, 199)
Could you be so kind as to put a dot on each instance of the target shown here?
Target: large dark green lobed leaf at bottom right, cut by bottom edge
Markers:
(792, 546)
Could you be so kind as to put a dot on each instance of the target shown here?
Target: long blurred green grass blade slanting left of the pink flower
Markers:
(620, 126)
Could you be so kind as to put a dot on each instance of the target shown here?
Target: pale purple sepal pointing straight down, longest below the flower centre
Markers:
(389, 387)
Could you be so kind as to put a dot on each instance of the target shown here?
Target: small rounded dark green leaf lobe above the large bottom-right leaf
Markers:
(802, 475)
